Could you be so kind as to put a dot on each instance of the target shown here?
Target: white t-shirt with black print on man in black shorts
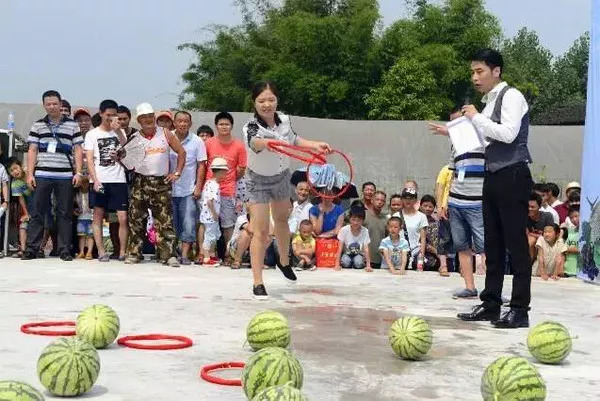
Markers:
(103, 143)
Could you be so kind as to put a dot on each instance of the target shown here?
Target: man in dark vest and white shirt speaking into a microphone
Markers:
(504, 125)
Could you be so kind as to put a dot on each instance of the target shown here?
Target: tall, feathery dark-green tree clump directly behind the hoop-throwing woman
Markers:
(318, 51)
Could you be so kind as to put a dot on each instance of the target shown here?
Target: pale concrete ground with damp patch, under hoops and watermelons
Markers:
(339, 324)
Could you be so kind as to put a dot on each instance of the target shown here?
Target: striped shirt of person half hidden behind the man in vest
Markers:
(466, 190)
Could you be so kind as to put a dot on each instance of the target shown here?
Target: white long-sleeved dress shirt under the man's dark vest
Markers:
(514, 107)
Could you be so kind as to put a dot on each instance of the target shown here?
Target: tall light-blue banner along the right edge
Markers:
(590, 196)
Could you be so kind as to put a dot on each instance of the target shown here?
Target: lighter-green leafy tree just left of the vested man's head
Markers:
(440, 40)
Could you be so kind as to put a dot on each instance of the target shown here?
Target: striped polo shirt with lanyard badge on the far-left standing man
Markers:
(62, 137)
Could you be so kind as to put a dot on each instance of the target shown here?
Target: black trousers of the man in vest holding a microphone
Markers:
(505, 208)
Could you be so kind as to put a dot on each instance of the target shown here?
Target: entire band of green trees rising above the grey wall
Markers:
(331, 59)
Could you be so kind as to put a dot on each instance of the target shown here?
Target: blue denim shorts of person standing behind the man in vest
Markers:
(466, 225)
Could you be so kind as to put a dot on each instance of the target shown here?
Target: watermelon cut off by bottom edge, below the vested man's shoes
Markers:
(512, 378)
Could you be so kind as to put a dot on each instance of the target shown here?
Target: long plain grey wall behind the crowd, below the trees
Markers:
(389, 152)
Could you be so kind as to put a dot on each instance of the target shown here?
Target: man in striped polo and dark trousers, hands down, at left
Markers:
(54, 154)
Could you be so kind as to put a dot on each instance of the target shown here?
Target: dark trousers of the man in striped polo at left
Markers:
(64, 192)
